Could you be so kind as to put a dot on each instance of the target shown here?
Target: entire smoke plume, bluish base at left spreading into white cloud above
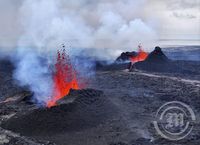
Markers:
(106, 27)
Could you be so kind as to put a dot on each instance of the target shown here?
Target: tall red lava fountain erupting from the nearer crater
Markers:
(65, 78)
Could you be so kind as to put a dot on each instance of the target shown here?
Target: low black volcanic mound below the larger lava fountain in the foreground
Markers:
(89, 108)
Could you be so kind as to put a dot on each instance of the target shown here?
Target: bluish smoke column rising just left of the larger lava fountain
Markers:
(33, 71)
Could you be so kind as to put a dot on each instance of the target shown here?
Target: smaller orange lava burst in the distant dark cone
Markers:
(141, 56)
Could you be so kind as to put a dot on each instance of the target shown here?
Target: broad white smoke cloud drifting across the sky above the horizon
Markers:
(110, 24)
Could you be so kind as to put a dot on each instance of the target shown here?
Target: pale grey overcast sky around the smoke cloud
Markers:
(171, 19)
